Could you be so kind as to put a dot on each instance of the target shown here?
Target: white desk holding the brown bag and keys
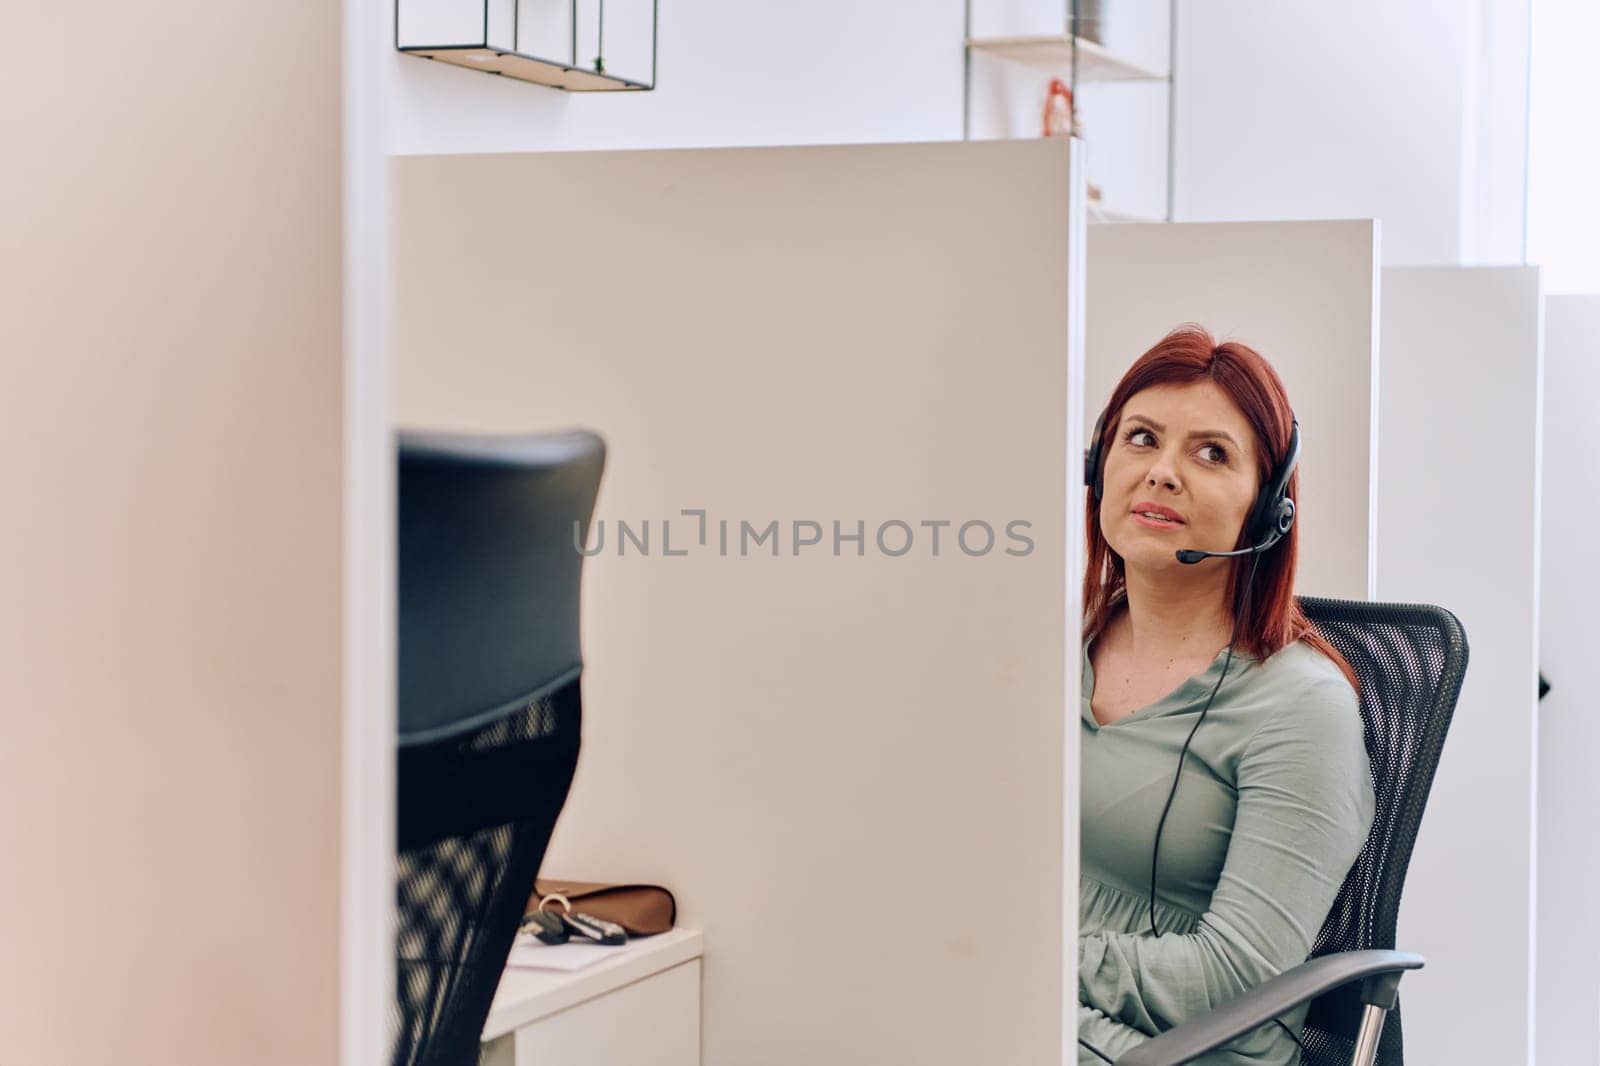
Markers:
(641, 1008)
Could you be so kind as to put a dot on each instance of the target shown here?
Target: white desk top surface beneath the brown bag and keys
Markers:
(529, 995)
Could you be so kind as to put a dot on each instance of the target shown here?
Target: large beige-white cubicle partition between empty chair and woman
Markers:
(847, 756)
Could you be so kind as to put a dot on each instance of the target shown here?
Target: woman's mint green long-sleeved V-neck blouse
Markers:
(1273, 809)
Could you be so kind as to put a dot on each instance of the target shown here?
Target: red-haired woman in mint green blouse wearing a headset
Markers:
(1210, 857)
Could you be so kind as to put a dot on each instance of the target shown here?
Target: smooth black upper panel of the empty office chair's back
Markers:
(489, 555)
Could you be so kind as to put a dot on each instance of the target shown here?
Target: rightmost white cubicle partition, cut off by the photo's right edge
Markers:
(1569, 944)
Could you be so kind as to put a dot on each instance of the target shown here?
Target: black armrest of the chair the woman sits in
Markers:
(1268, 1001)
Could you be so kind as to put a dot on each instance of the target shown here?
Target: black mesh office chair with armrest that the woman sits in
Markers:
(1410, 662)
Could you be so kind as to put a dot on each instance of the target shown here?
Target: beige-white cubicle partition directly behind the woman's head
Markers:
(1300, 294)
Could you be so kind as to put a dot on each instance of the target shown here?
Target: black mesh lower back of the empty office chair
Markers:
(474, 817)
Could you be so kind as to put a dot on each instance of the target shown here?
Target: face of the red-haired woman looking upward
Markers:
(1183, 452)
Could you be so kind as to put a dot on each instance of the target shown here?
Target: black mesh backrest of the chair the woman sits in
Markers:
(1410, 662)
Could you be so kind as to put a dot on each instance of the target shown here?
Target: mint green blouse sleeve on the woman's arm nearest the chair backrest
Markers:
(1305, 811)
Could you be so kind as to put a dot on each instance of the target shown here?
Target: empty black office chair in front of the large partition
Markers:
(489, 711)
